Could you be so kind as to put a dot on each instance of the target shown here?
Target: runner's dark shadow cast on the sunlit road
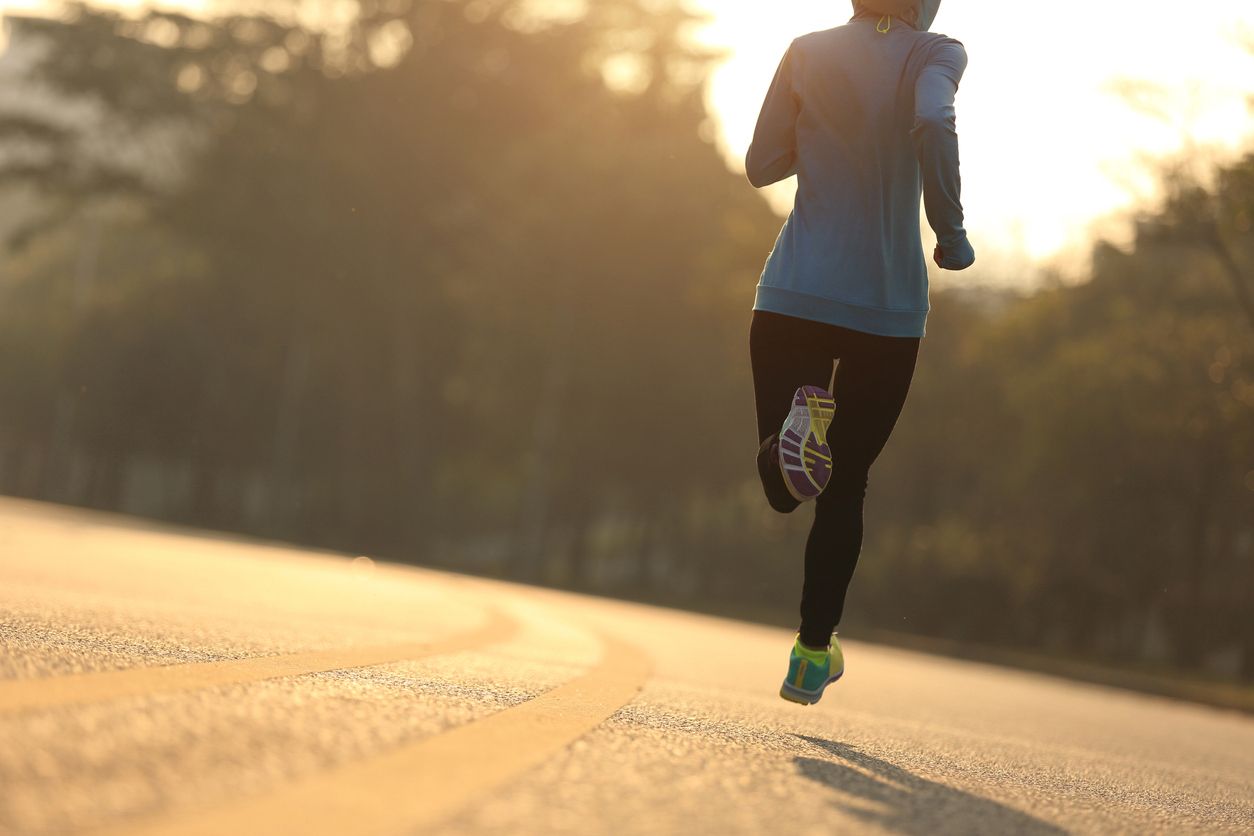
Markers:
(907, 804)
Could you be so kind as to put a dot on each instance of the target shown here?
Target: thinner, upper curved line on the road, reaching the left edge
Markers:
(52, 692)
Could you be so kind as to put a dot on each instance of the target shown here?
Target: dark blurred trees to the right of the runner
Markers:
(1077, 472)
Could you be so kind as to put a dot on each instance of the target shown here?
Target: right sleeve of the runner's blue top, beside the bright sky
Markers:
(936, 145)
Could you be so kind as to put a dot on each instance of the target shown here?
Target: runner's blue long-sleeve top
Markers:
(863, 115)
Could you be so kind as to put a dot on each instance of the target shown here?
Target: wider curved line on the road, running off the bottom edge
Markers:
(429, 780)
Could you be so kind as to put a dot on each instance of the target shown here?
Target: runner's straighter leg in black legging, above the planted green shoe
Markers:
(873, 380)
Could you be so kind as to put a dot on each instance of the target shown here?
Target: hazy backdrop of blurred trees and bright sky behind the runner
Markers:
(467, 283)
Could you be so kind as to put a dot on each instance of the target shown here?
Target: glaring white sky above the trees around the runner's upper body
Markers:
(1051, 151)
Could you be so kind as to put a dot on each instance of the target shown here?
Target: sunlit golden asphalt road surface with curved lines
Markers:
(156, 681)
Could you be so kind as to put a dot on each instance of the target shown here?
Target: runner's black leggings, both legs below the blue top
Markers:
(871, 385)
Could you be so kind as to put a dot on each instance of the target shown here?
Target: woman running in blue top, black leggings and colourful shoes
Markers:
(863, 115)
